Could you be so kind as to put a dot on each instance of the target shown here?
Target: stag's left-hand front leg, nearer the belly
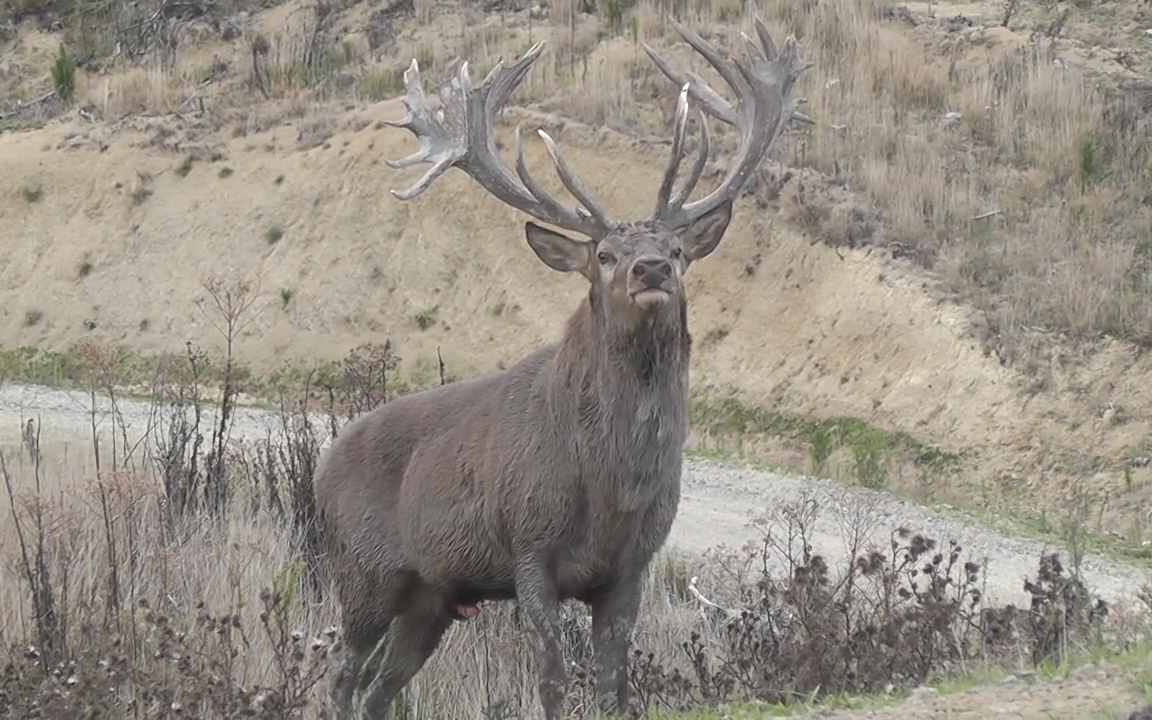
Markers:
(537, 596)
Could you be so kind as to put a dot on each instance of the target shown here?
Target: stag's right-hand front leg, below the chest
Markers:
(613, 618)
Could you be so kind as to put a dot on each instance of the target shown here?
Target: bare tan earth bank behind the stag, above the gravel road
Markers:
(110, 224)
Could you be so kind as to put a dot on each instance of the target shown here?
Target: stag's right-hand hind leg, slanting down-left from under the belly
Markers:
(413, 638)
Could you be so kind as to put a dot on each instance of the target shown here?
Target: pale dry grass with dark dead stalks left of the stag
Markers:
(141, 611)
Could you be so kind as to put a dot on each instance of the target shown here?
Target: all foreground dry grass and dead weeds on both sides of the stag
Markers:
(151, 569)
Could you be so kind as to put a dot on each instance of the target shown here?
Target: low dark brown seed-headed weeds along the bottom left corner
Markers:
(183, 665)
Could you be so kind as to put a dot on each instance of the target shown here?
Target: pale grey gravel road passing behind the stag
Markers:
(718, 501)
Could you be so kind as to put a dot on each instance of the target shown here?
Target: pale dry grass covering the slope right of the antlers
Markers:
(1049, 148)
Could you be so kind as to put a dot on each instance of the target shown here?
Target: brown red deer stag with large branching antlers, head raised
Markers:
(560, 478)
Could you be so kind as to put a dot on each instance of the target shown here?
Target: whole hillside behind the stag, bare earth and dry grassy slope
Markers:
(976, 282)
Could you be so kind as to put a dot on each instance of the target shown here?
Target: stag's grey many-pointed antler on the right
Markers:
(762, 85)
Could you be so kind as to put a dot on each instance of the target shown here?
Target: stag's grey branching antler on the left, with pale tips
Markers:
(461, 134)
